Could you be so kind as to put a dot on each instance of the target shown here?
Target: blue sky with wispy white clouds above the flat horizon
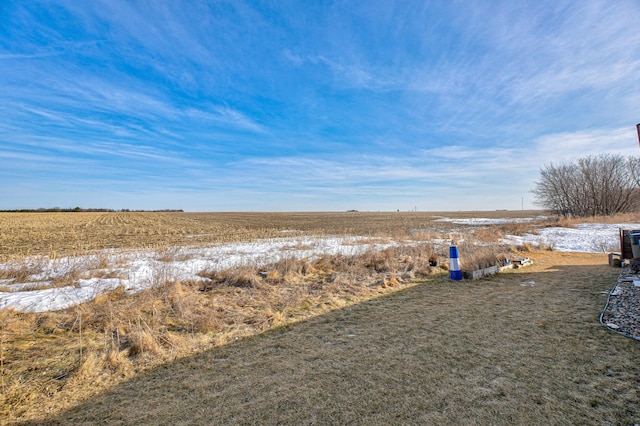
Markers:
(308, 105)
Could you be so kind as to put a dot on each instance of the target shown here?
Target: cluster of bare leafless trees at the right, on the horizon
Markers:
(590, 186)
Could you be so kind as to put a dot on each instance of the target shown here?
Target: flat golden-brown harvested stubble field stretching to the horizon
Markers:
(61, 234)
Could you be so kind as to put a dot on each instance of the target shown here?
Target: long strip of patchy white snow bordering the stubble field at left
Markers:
(139, 270)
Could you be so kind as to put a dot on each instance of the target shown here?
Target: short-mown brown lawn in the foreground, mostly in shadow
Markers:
(523, 347)
